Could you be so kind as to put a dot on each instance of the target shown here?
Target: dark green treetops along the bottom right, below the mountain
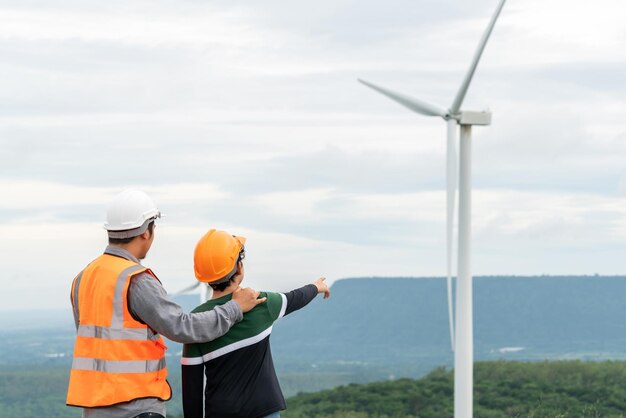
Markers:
(569, 389)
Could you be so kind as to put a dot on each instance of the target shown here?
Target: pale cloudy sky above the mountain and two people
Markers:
(248, 117)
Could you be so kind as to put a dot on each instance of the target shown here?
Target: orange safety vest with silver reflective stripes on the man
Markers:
(116, 358)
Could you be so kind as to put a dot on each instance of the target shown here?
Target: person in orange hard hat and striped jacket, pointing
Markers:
(240, 377)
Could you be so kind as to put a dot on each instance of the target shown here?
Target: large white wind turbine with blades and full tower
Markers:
(463, 339)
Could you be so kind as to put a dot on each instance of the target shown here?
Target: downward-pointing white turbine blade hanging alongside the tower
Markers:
(451, 176)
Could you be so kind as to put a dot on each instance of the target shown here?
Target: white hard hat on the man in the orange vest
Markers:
(129, 214)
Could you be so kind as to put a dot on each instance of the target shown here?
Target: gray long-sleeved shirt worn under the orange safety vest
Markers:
(148, 302)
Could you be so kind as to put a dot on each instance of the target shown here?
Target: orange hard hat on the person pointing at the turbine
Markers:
(216, 255)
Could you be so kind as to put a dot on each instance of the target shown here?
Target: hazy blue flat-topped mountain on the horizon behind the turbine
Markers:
(400, 321)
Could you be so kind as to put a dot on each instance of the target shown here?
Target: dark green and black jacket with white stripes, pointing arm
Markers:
(240, 376)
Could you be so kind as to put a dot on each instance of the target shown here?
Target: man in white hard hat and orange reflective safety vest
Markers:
(121, 310)
